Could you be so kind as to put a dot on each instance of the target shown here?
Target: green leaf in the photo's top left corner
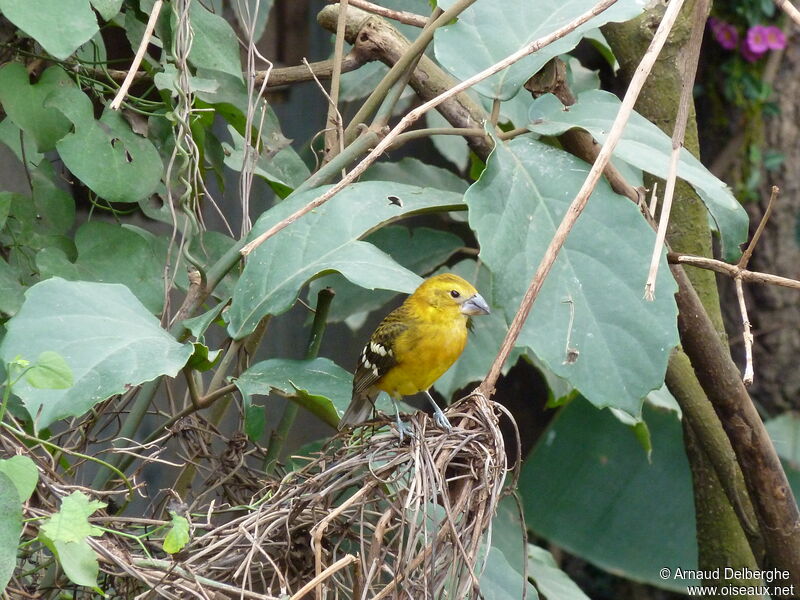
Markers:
(60, 26)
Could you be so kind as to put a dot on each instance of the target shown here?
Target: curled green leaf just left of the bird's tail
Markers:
(319, 385)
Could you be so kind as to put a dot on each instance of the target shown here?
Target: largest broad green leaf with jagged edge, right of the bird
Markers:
(623, 341)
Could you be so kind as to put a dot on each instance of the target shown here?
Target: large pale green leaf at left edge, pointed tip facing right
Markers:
(108, 338)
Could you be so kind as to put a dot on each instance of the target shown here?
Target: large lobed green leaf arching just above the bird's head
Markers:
(326, 240)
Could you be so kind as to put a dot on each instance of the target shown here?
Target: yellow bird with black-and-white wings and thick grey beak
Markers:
(413, 346)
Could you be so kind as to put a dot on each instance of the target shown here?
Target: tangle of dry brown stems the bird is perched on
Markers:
(367, 518)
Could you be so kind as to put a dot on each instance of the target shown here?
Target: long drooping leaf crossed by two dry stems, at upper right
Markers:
(645, 146)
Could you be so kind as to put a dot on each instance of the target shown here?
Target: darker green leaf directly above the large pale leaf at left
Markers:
(110, 253)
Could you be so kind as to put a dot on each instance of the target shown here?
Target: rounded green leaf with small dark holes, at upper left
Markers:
(106, 155)
